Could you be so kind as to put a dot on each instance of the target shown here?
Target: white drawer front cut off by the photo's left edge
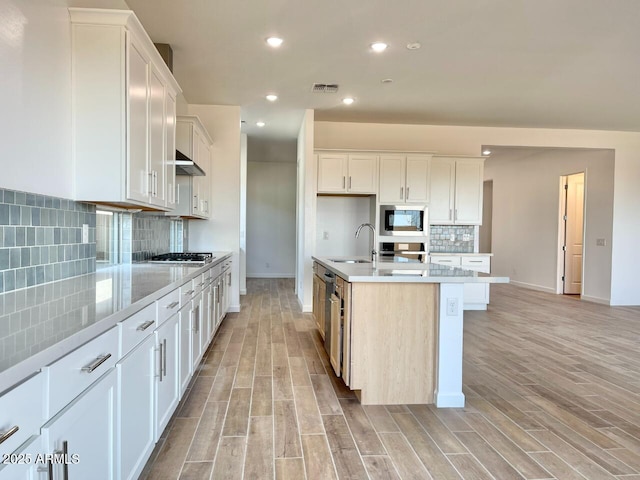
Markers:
(21, 413)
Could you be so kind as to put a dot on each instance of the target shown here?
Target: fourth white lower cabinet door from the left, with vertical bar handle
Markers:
(166, 370)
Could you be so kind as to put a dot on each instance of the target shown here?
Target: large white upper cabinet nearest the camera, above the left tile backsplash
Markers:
(121, 125)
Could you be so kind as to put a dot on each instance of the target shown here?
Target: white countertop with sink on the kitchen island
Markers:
(404, 272)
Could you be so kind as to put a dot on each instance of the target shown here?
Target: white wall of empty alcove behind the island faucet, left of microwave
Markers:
(338, 218)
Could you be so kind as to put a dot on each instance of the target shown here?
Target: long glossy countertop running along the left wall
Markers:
(41, 324)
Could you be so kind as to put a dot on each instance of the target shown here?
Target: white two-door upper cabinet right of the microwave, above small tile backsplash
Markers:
(456, 191)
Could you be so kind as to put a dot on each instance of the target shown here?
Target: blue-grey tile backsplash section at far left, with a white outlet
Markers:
(41, 239)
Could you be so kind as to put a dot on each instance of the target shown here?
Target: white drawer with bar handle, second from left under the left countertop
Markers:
(71, 375)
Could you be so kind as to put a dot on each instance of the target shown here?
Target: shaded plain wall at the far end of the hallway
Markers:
(271, 219)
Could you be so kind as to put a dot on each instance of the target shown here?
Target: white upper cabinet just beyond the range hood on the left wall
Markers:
(194, 192)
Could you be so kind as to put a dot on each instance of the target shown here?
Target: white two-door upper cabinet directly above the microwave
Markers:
(404, 178)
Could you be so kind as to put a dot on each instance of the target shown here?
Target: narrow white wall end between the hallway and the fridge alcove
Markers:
(305, 212)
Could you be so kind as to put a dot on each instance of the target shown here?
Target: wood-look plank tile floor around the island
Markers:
(552, 386)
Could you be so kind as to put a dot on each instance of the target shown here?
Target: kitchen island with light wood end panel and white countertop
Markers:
(401, 330)
